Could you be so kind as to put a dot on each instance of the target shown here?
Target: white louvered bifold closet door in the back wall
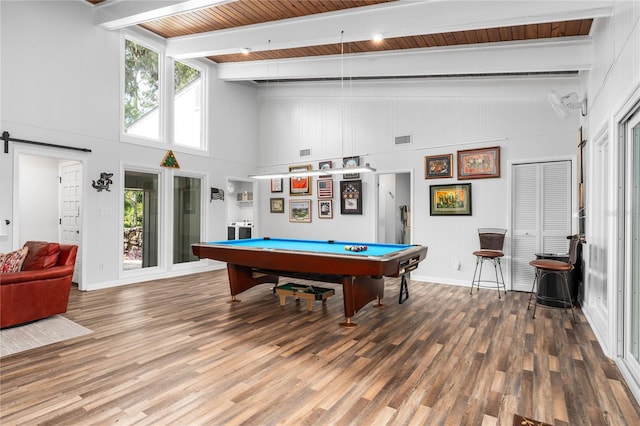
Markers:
(541, 197)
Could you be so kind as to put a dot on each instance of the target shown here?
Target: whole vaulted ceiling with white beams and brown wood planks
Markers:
(328, 39)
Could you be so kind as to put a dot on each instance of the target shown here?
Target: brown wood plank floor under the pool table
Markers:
(175, 352)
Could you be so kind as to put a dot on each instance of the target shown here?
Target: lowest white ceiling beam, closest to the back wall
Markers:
(553, 55)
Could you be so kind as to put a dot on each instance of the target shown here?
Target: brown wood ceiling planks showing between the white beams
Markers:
(241, 13)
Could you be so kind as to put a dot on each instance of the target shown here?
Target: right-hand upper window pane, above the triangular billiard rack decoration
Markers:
(187, 105)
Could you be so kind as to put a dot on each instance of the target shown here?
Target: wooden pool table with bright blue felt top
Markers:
(263, 260)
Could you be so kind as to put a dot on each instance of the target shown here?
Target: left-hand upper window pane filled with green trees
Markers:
(141, 91)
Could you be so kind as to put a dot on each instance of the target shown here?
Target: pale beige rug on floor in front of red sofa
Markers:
(39, 333)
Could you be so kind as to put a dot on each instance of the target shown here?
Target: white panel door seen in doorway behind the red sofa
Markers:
(71, 210)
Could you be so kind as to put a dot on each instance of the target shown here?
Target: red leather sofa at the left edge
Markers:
(41, 288)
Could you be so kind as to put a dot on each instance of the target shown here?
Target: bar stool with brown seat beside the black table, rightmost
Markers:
(554, 267)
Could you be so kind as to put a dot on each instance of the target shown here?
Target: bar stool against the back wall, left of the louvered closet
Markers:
(491, 245)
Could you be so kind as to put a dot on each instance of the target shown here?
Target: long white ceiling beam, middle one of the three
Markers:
(395, 19)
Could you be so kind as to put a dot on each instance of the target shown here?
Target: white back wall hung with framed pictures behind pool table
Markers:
(443, 116)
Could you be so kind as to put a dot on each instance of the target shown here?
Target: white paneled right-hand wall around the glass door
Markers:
(613, 87)
